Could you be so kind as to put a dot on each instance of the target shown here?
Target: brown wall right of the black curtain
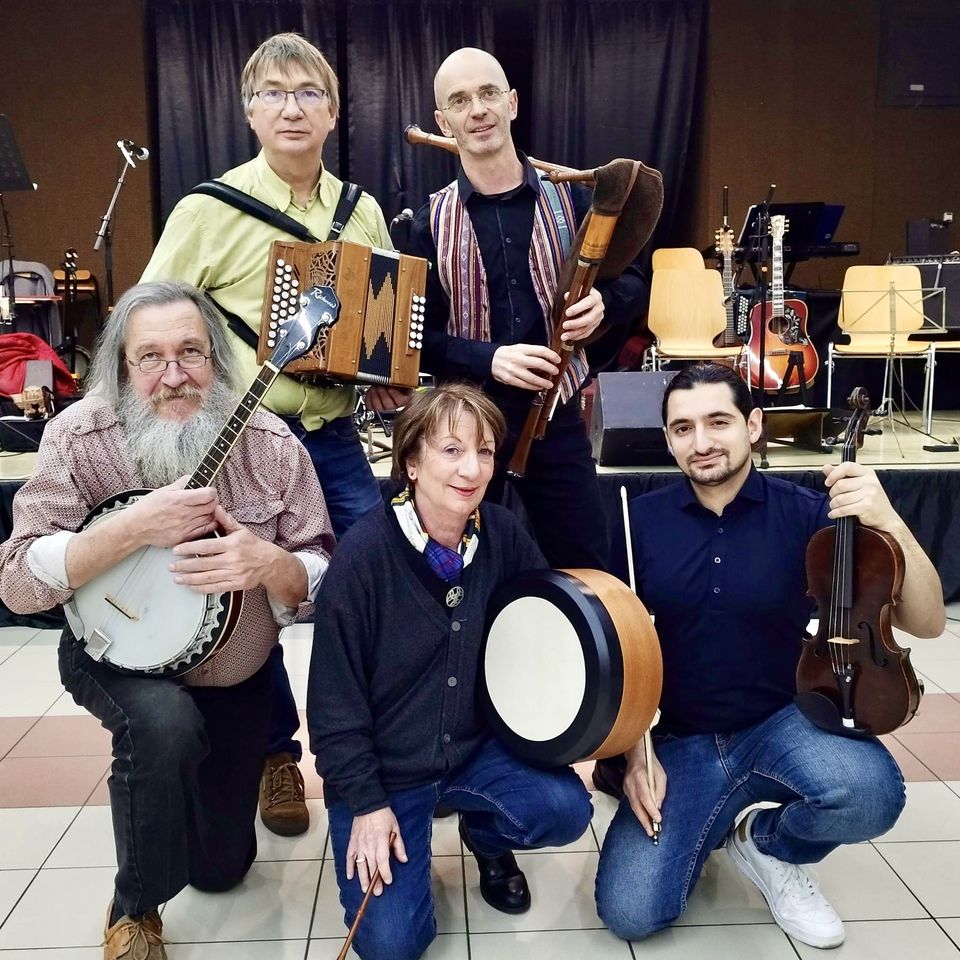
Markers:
(792, 98)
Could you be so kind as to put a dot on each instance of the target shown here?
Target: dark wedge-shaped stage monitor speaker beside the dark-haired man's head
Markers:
(626, 429)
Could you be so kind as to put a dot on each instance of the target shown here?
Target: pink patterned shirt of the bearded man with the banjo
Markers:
(268, 484)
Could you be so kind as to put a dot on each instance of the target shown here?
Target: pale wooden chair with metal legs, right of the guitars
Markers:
(880, 306)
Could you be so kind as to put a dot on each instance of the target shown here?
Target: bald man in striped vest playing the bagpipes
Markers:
(497, 237)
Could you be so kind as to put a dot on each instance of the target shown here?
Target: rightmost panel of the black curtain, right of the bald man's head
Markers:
(619, 78)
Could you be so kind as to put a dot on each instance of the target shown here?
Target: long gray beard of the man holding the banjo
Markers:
(164, 450)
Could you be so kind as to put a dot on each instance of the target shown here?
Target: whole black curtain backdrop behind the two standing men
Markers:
(597, 79)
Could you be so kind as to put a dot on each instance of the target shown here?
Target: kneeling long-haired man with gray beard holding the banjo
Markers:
(187, 753)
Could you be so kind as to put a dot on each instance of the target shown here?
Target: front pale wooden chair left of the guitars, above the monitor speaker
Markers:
(686, 315)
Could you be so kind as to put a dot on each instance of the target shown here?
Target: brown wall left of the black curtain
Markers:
(73, 82)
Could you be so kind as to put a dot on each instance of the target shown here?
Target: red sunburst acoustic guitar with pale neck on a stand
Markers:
(784, 335)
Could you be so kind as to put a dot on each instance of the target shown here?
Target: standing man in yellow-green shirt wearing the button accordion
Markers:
(291, 101)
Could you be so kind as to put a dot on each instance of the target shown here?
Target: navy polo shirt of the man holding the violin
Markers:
(729, 597)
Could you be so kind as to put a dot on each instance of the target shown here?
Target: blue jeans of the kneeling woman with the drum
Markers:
(506, 805)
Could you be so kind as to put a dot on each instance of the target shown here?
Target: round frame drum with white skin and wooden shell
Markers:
(570, 668)
